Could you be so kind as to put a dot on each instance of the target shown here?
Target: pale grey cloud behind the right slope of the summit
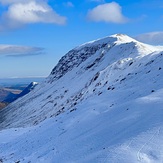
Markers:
(155, 38)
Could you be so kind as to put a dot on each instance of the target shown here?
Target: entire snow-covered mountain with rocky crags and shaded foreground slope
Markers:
(103, 102)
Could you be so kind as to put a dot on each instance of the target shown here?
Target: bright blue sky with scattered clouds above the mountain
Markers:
(35, 34)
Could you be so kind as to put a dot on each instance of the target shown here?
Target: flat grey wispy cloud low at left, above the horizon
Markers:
(19, 51)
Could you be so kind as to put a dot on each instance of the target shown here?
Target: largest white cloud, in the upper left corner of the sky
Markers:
(21, 12)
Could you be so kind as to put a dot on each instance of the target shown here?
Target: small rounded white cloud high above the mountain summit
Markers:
(108, 12)
